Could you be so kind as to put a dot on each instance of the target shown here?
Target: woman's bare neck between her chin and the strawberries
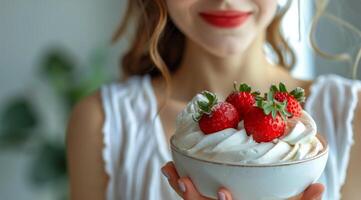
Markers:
(201, 70)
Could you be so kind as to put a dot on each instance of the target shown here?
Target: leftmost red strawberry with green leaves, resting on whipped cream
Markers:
(214, 116)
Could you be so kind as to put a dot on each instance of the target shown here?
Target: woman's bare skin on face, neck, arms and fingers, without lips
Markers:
(213, 60)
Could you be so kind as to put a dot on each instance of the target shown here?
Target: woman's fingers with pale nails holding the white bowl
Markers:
(185, 188)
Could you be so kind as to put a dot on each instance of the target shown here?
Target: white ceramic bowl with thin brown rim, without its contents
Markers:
(250, 181)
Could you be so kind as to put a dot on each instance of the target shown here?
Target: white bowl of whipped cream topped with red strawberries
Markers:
(257, 147)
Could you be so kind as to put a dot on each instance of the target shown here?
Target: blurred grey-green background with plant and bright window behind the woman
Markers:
(53, 53)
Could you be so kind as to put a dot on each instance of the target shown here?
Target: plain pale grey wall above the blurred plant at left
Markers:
(27, 28)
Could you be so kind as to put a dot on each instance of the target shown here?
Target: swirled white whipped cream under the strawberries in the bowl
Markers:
(235, 146)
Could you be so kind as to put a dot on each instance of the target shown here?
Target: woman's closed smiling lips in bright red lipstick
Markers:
(225, 19)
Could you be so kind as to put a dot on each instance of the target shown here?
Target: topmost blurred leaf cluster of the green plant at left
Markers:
(61, 72)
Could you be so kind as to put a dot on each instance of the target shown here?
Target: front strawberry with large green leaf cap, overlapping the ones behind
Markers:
(266, 122)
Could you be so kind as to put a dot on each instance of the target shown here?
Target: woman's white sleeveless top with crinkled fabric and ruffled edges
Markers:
(135, 147)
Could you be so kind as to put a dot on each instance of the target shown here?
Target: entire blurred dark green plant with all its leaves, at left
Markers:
(20, 121)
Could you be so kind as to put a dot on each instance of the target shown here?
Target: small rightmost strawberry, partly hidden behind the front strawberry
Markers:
(293, 99)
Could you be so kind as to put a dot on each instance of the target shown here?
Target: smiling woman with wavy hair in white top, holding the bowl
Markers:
(116, 149)
